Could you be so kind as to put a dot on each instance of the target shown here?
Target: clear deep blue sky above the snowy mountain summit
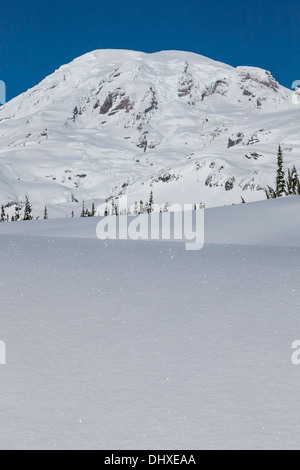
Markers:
(36, 37)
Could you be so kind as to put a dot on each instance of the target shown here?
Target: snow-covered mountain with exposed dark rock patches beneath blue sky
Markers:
(112, 121)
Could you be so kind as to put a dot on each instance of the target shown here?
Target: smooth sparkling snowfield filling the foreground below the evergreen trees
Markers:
(143, 345)
